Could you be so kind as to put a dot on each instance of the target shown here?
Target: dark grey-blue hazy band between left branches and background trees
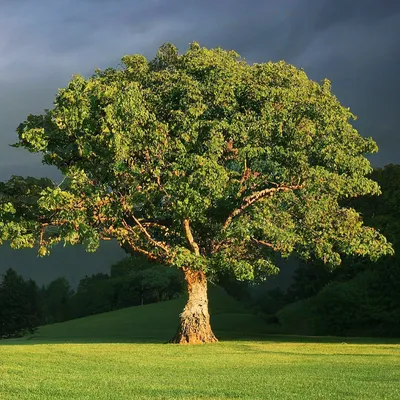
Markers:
(71, 262)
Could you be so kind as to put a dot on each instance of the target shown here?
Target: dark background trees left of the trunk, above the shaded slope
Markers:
(132, 281)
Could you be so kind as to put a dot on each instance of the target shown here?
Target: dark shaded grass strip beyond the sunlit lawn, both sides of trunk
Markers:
(159, 323)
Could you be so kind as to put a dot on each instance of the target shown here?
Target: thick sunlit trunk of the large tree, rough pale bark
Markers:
(195, 320)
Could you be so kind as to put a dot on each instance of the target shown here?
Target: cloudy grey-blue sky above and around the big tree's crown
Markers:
(354, 43)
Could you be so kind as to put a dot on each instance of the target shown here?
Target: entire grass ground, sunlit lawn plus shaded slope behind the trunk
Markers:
(121, 355)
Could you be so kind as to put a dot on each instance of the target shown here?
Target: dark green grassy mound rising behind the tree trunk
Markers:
(155, 322)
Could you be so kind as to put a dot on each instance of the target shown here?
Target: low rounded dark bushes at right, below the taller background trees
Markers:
(367, 305)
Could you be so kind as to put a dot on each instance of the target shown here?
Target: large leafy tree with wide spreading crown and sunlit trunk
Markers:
(199, 161)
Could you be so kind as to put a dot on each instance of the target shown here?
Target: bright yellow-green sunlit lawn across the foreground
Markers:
(229, 370)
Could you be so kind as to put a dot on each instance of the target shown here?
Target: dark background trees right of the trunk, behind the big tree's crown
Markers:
(360, 298)
